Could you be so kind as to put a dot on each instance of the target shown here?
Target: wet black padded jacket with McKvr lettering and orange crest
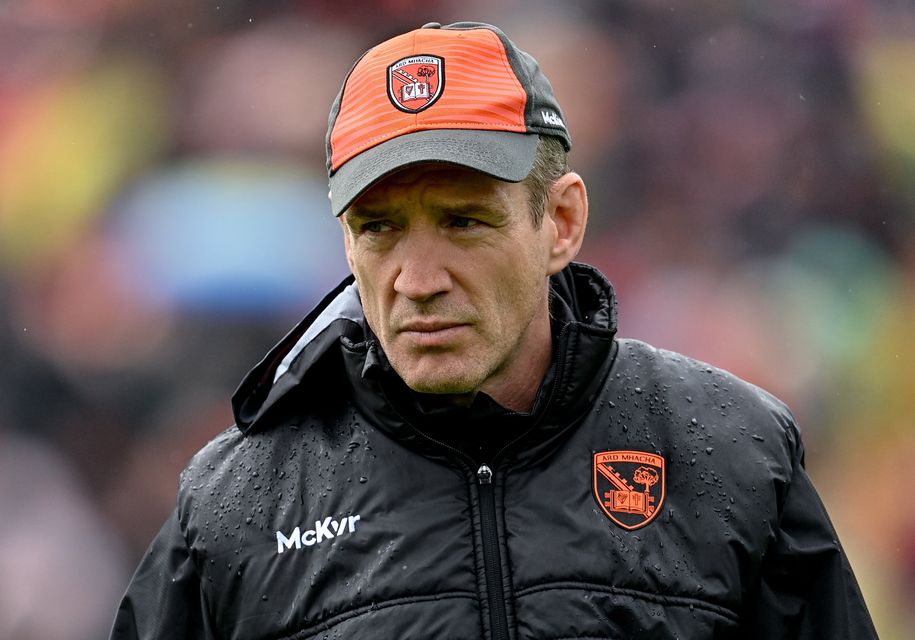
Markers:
(646, 496)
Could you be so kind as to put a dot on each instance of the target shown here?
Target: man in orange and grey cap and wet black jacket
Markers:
(454, 444)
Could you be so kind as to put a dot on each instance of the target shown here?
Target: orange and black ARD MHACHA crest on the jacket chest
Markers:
(629, 486)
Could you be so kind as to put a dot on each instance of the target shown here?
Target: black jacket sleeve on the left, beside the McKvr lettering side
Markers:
(164, 598)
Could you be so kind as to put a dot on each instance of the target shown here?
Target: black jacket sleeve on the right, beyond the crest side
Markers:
(807, 588)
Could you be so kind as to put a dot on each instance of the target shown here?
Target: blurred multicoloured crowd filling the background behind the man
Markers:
(164, 220)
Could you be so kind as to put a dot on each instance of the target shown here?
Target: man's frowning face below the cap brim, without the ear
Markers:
(452, 276)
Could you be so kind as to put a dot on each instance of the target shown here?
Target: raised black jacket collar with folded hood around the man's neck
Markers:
(335, 335)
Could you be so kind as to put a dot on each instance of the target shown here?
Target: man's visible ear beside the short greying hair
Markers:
(567, 209)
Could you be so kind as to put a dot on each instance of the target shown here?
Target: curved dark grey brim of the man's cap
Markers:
(504, 155)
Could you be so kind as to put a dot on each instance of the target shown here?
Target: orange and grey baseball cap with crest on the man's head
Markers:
(461, 94)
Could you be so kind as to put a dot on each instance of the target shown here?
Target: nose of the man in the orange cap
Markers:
(423, 272)
